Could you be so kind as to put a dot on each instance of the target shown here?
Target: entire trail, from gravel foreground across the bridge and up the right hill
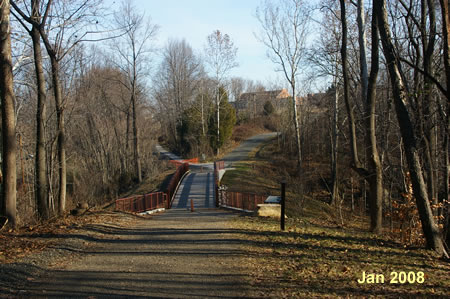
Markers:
(175, 254)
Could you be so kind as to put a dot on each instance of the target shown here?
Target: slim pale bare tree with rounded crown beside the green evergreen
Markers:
(221, 58)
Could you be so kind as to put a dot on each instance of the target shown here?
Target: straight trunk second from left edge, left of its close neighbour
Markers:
(41, 181)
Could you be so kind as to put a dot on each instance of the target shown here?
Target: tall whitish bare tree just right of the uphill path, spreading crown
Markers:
(284, 30)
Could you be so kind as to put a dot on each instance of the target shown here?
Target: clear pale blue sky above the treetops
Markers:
(194, 20)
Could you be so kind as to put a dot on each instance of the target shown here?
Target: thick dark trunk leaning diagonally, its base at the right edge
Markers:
(430, 229)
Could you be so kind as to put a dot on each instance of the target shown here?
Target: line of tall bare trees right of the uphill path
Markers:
(388, 105)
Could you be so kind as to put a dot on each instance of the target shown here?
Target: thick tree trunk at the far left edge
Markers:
(8, 202)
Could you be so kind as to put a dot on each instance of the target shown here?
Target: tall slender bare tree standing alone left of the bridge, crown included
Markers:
(133, 50)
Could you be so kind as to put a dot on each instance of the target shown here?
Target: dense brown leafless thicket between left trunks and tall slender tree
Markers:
(98, 136)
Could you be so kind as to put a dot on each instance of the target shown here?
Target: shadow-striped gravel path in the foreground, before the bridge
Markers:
(177, 254)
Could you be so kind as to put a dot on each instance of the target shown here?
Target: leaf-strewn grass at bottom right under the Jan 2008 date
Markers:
(319, 262)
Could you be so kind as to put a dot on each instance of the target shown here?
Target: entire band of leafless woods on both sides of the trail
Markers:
(86, 95)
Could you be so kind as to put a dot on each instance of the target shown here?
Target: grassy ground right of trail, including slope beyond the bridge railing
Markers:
(317, 256)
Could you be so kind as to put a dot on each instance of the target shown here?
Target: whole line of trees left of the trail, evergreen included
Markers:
(80, 119)
